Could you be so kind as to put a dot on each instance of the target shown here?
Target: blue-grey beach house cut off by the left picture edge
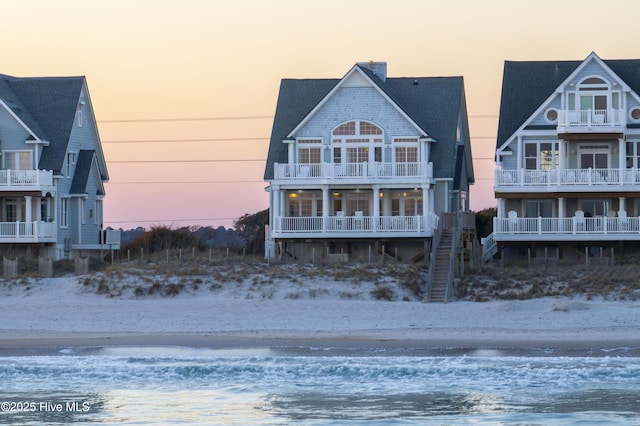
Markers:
(52, 170)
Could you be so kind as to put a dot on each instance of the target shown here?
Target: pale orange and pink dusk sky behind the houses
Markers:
(185, 91)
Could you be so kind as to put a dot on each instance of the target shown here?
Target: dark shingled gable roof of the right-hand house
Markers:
(527, 84)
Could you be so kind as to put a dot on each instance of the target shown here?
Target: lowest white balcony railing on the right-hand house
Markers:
(565, 227)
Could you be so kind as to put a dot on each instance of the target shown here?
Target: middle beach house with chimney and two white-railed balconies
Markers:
(366, 164)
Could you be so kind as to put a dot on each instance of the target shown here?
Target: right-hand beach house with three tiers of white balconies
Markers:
(568, 157)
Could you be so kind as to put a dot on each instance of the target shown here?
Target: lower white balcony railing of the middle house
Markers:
(345, 225)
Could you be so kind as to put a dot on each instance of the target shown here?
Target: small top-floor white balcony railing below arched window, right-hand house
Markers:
(592, 121)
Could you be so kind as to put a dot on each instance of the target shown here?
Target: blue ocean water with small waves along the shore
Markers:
(318, 386)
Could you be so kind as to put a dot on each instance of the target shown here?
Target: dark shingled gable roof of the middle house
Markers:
(434, 104)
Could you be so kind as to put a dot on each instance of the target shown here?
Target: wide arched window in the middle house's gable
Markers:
(357, 141)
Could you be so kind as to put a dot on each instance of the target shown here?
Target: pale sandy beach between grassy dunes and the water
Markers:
(61, 312)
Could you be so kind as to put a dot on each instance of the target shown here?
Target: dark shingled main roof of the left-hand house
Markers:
(47, 105)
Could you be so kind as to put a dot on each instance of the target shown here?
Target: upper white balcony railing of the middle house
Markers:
(353, 170)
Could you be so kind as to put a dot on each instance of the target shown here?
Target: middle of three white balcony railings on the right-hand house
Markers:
(571, 177)
